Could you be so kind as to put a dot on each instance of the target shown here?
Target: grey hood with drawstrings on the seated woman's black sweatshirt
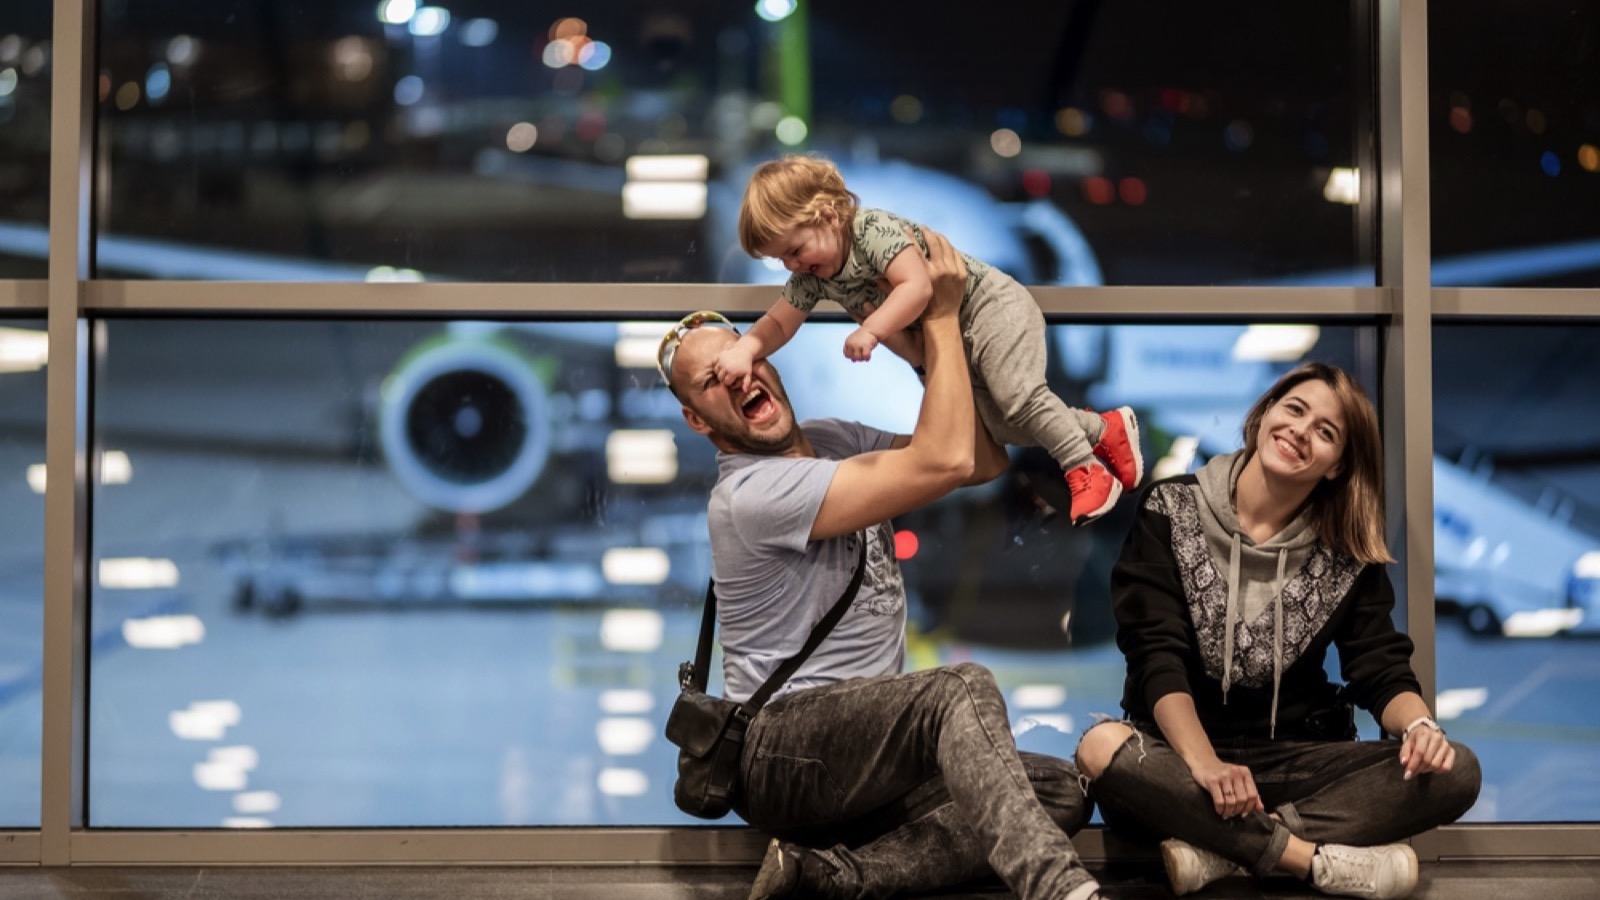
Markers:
(1257, 574)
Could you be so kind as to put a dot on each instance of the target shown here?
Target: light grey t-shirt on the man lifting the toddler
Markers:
(774, 585)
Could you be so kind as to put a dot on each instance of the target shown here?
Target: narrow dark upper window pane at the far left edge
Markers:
(25, 139)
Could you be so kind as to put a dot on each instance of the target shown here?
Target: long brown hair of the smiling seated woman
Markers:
(1346, 510)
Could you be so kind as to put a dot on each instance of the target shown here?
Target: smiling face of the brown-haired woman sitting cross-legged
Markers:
(1303, 436)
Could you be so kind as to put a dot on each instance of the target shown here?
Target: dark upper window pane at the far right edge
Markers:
(1516, 147)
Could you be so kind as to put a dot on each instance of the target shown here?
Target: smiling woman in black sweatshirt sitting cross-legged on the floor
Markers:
(1228, 595)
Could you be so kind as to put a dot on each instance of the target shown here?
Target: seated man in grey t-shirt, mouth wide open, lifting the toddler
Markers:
(873, 782)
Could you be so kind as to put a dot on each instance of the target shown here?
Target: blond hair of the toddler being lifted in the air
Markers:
(791, 193)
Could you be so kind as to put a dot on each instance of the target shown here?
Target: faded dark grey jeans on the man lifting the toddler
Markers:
(913, 784)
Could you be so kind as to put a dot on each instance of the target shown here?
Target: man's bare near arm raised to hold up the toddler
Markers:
(940, 454)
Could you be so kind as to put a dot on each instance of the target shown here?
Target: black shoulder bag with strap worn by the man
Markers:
(710, 731)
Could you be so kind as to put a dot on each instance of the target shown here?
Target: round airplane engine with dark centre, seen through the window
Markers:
(465, 425)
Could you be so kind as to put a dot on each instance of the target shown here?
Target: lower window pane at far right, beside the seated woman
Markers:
(1518, 556)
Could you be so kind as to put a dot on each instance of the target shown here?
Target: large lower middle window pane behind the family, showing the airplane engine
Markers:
(391, 574)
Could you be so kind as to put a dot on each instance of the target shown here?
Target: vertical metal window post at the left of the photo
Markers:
(65, 649)
